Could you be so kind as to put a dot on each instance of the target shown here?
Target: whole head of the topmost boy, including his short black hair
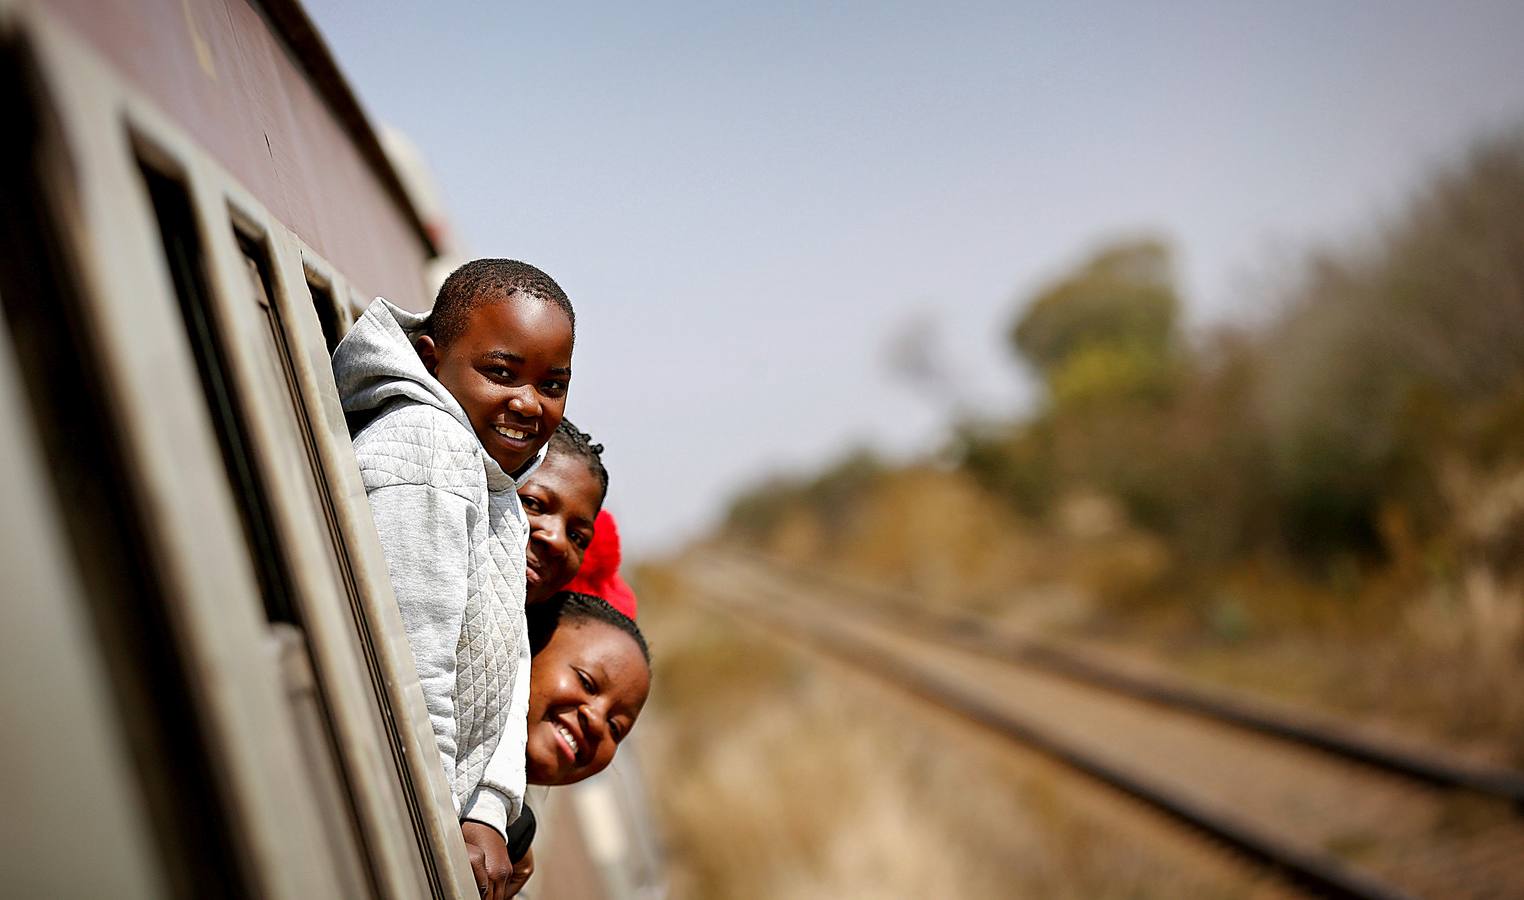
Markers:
(501, 342)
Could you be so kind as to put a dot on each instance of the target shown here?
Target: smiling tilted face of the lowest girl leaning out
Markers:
(586, 691)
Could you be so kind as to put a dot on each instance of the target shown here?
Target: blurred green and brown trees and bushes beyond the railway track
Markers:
(1353, 470)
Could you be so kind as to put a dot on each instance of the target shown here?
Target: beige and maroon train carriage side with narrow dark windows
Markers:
(207, 681)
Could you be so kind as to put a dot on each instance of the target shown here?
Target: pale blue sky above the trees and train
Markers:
(746, 203)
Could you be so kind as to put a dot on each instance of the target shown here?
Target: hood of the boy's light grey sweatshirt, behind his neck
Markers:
(376, 366)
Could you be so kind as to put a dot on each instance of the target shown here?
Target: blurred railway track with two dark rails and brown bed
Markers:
(1334, 812)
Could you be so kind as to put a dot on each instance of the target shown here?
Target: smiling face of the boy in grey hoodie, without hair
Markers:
(510, 369)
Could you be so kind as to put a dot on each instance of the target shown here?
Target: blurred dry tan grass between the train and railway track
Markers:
(778, 776)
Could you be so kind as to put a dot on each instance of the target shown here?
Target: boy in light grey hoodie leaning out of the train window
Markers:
(450, 413)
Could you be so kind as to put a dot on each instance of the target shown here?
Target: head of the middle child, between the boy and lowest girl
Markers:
(562, 499)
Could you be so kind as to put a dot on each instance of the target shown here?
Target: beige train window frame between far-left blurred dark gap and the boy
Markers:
(360, 662)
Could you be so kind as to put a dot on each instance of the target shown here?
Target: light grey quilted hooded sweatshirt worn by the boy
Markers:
(455, 537)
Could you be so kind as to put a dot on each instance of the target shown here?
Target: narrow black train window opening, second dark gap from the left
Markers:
(178, 229)
